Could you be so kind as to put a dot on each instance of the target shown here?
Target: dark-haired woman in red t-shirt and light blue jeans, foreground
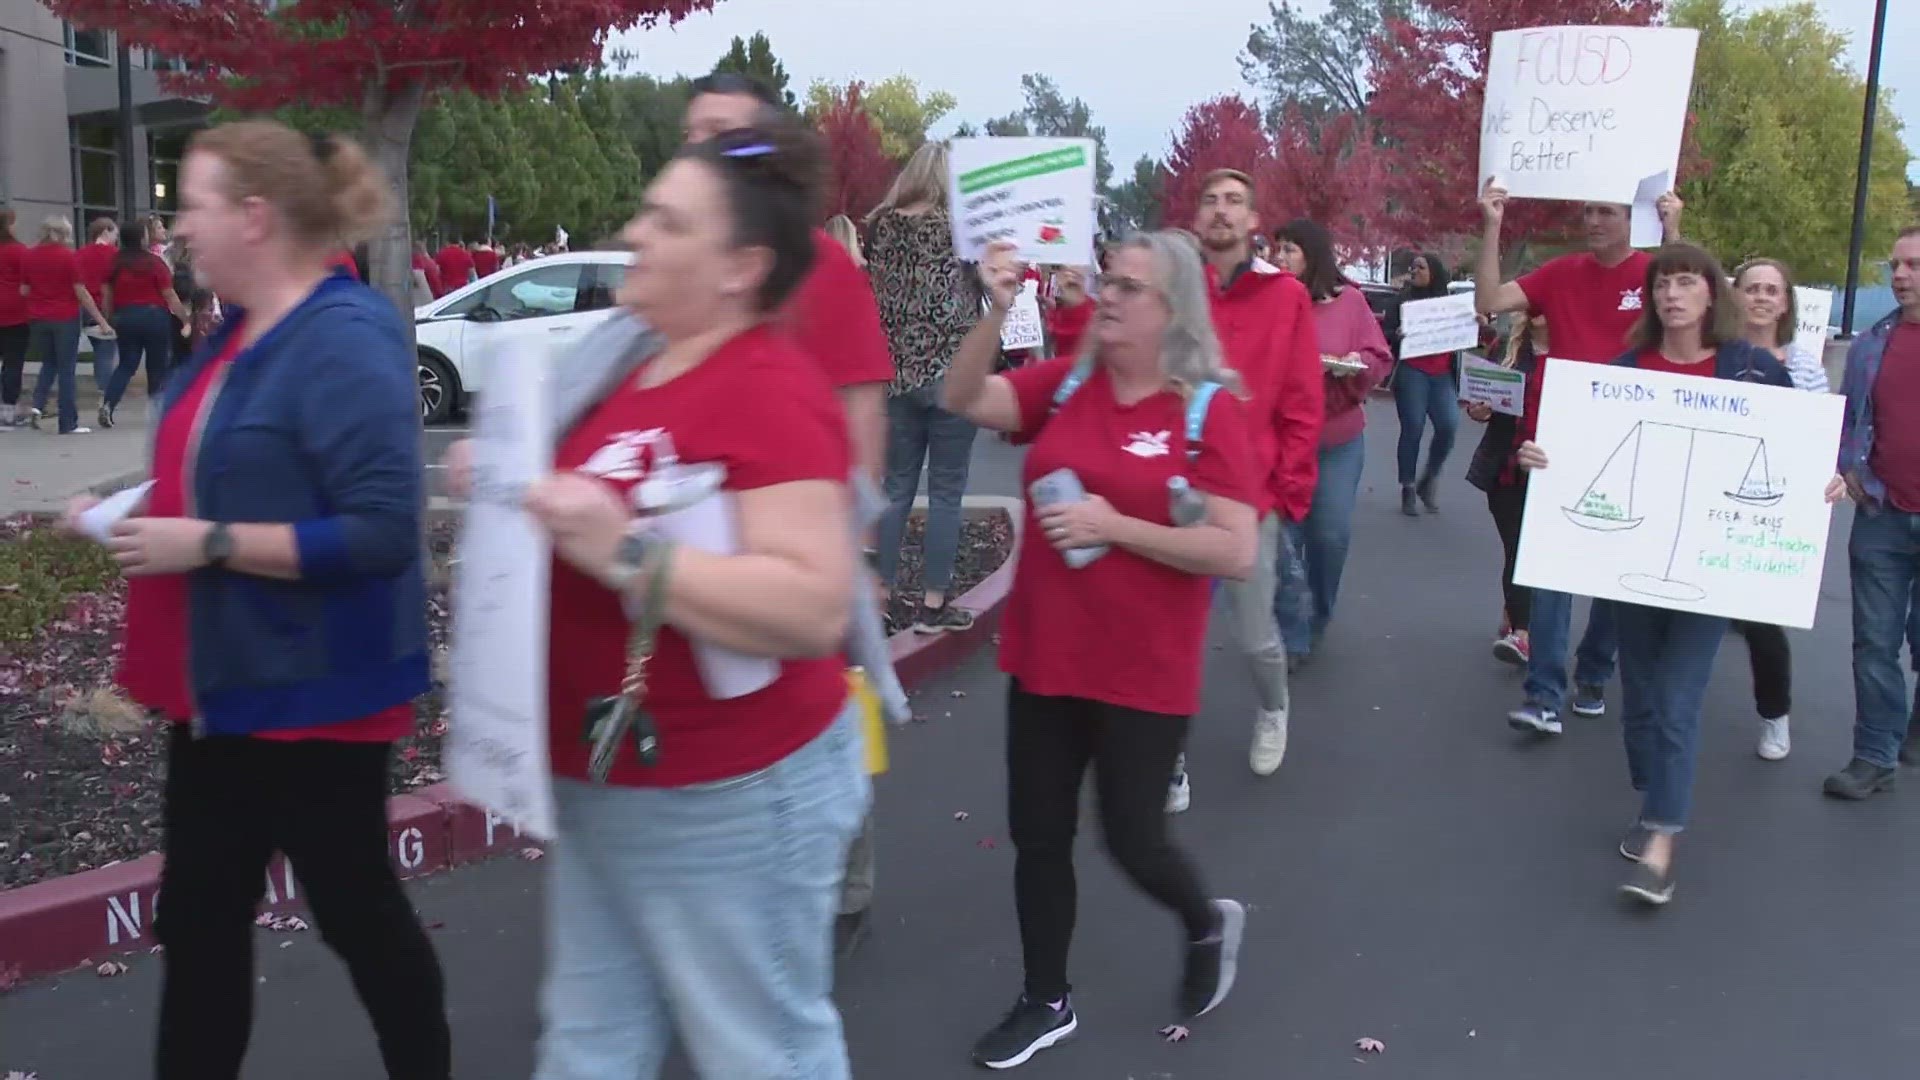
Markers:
(696, 873)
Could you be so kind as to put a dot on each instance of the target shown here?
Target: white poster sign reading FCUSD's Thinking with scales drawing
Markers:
(1679, 491)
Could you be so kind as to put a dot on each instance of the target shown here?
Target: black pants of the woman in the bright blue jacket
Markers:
(231, 802)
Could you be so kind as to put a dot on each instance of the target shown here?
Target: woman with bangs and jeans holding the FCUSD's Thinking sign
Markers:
(1691, 328)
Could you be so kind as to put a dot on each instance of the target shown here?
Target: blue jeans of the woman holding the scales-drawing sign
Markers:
(1666, 664)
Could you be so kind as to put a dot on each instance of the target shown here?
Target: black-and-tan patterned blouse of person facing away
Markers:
(928, 299)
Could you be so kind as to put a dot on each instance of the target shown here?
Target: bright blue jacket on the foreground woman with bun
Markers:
(314, 426)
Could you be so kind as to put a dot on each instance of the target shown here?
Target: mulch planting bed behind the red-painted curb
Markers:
(76, 798)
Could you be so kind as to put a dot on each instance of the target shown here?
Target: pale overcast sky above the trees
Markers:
(1140, 64)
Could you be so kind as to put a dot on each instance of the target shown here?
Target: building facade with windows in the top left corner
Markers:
(60, 149)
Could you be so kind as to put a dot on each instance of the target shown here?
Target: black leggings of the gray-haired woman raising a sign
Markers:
(1049, 747)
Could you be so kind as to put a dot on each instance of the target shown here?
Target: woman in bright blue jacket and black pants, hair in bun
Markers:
(277, 604)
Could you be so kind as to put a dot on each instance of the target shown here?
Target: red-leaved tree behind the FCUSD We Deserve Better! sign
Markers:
(1429, 86)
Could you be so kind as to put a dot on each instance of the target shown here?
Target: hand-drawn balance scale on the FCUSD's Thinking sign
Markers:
(1610, 501)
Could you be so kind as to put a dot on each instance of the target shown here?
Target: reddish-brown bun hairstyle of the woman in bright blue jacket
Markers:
(327, 187)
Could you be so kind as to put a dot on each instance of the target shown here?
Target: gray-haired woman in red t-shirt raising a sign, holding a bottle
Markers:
(1141, 478)
